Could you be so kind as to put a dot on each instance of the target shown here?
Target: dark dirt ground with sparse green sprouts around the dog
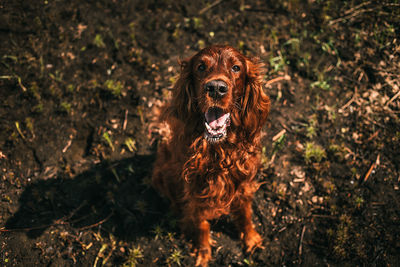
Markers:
(79, 81)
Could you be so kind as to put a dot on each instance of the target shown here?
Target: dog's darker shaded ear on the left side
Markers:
(181, 105)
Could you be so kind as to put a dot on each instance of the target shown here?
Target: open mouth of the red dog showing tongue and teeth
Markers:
(216, 122)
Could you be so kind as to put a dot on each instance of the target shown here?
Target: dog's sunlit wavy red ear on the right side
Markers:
(255, 103)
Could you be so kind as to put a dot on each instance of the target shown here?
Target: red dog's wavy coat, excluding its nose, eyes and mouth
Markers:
(204, 179)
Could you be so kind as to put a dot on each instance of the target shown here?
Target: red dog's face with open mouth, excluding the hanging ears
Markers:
(218, 77)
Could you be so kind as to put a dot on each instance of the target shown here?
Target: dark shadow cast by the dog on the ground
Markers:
(116, 196)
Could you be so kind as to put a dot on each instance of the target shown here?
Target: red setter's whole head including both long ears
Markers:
(221, 88)
